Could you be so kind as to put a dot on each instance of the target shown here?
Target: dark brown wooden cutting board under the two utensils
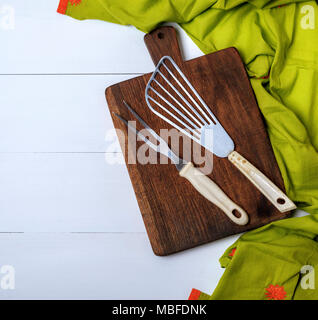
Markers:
(176, 216)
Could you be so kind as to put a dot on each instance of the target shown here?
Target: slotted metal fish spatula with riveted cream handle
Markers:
(171, 96)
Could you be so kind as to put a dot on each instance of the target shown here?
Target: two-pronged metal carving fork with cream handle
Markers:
(205, 186)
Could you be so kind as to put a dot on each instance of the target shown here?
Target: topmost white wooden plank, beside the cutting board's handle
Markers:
(43, 41)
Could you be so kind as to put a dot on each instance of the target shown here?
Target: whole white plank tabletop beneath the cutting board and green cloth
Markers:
(69, 221)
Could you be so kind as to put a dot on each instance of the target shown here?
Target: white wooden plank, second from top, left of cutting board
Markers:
(55, 113)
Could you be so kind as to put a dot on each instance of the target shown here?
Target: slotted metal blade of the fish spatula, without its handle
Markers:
(184, 109)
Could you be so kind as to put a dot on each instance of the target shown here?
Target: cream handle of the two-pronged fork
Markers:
(211, 191)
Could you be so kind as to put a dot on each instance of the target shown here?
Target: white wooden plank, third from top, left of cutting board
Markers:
(66, 193)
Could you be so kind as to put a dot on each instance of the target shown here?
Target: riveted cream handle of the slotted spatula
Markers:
(276, 196)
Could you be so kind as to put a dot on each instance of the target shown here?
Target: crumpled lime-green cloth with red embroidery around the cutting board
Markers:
(278, 42)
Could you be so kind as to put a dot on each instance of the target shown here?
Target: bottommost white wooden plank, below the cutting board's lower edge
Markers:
(105, 266)
